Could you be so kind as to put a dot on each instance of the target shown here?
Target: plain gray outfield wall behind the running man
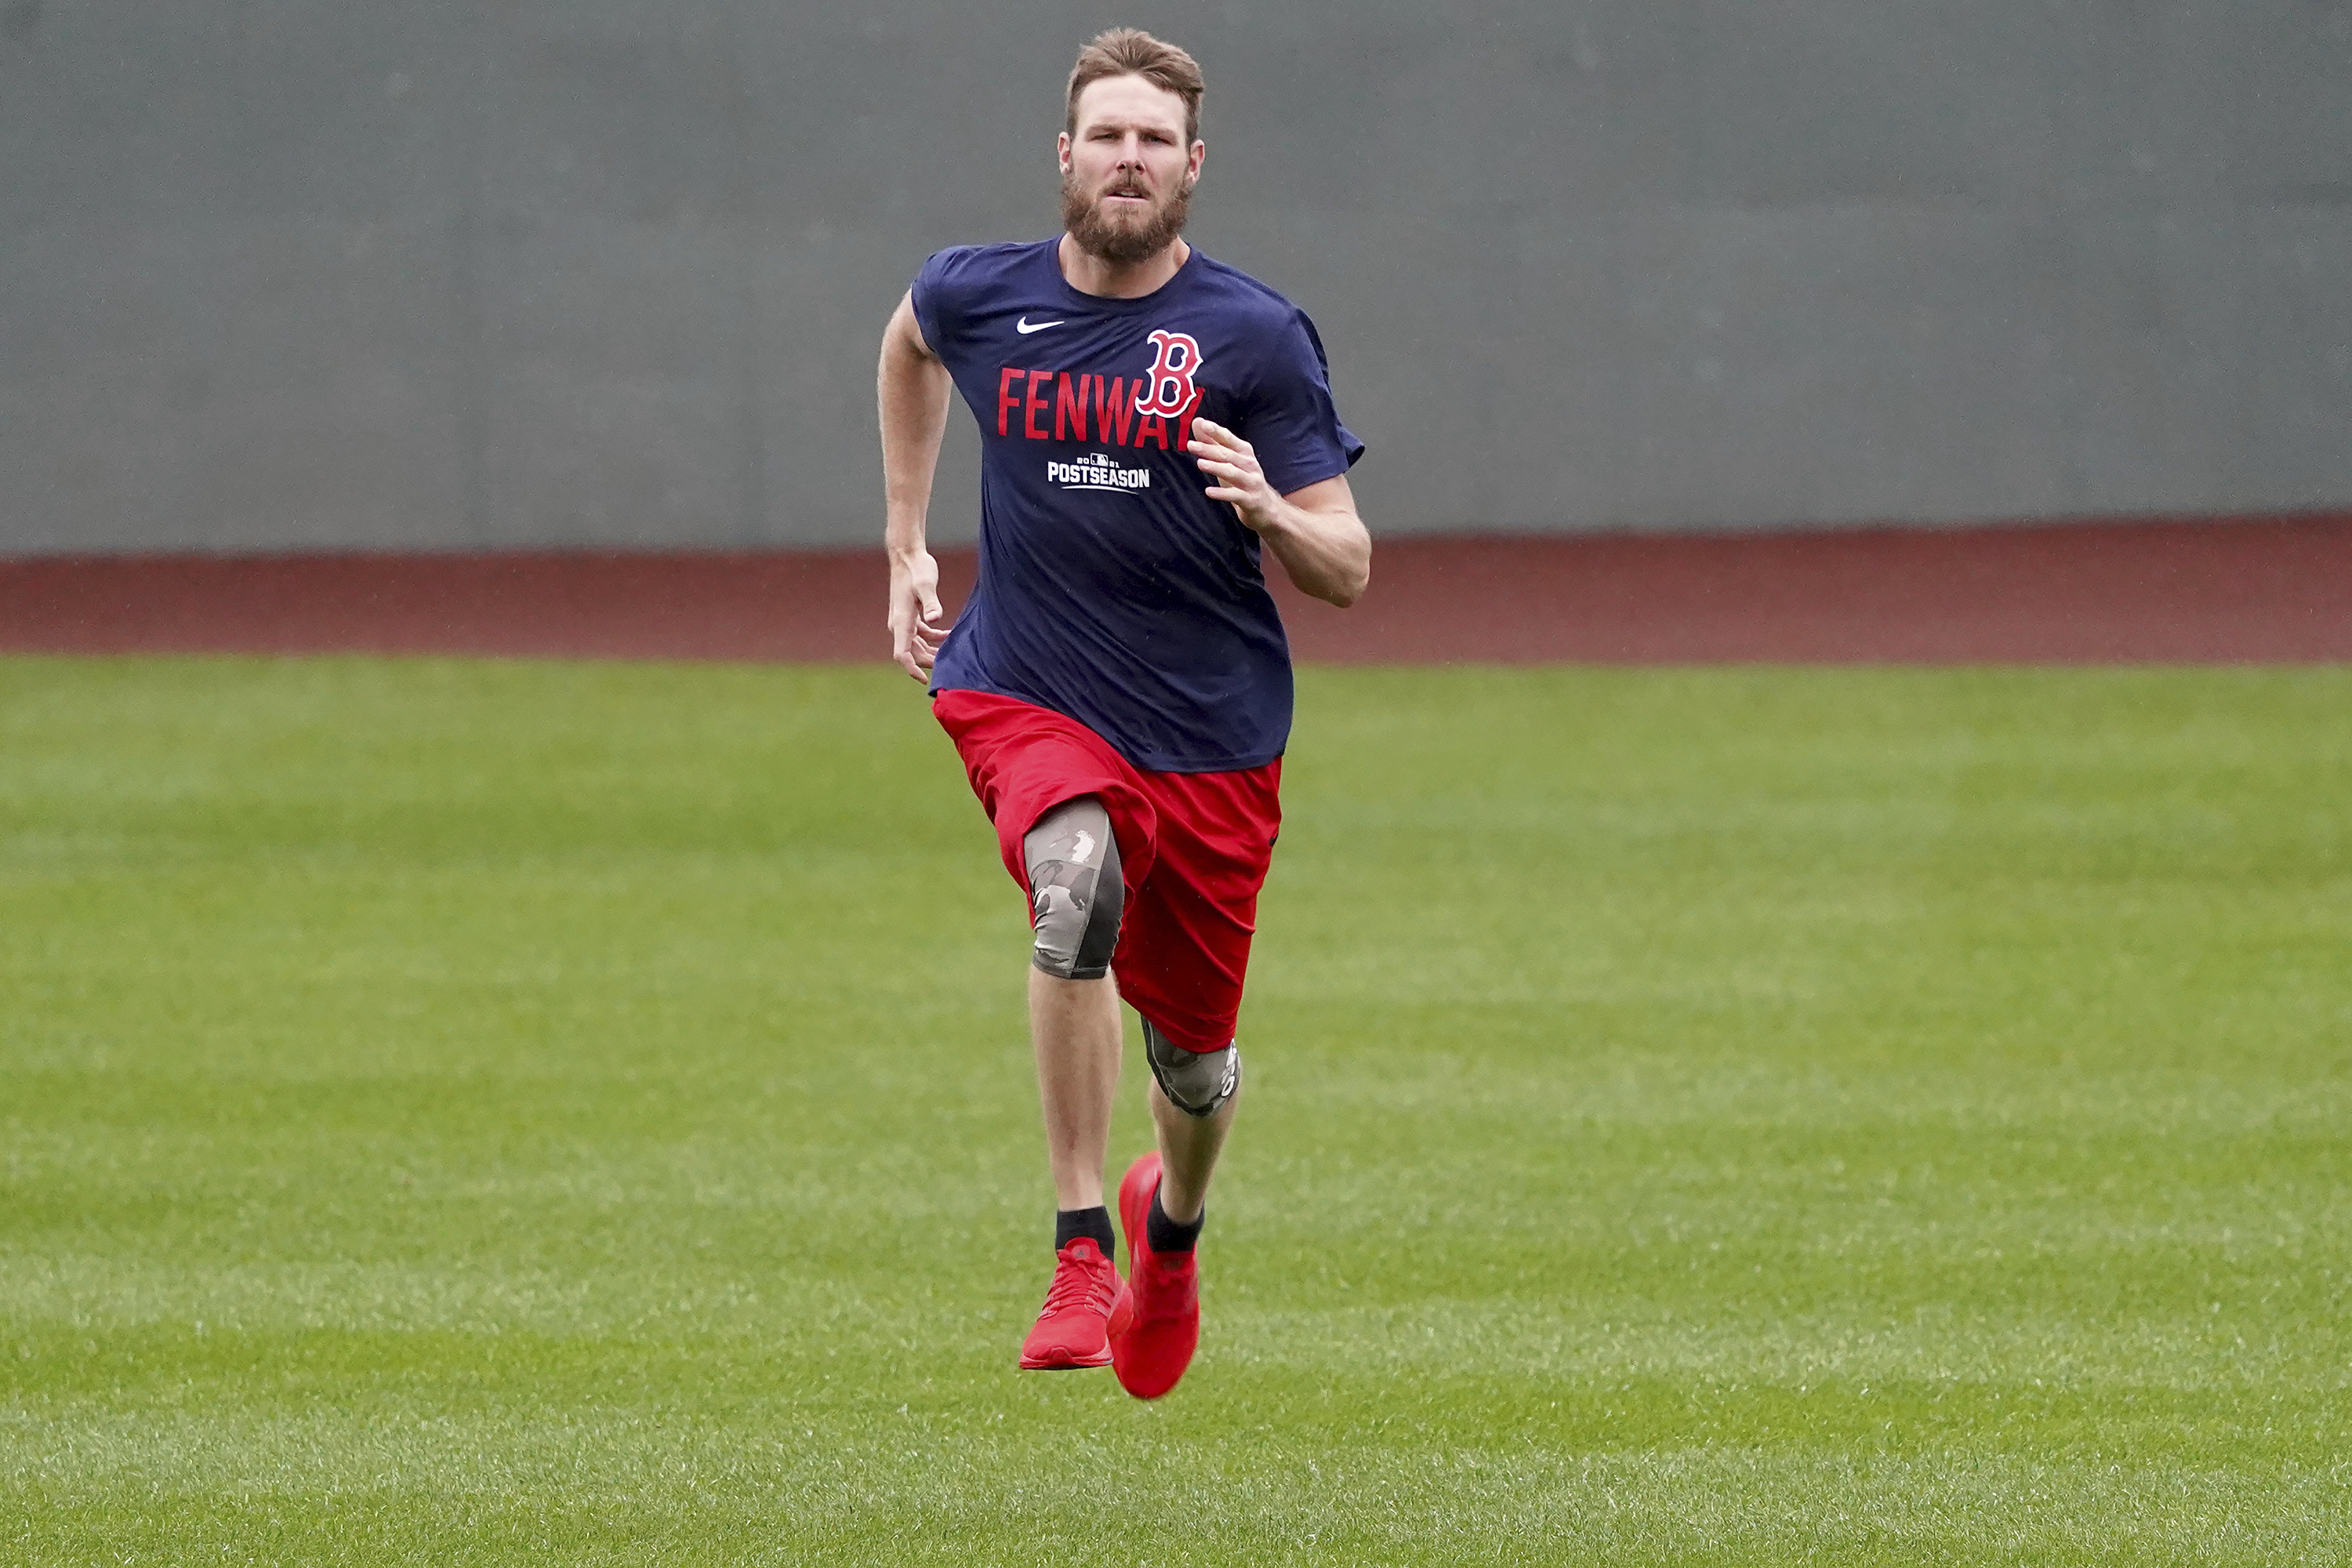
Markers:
(610, 272)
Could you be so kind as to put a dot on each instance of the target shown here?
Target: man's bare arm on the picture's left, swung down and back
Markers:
(914, 394)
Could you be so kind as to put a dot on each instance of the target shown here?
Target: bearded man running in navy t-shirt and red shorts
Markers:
(1118, 685)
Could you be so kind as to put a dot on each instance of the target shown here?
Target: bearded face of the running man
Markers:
(1128, 173)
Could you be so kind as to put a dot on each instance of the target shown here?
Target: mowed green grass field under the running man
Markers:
(488, 1113)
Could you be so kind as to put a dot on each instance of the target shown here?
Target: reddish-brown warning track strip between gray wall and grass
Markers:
(2219, 591)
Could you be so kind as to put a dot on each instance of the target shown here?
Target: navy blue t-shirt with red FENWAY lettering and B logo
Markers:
(1111, 587)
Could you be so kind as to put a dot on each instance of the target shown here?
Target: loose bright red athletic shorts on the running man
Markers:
(1194, 850)
